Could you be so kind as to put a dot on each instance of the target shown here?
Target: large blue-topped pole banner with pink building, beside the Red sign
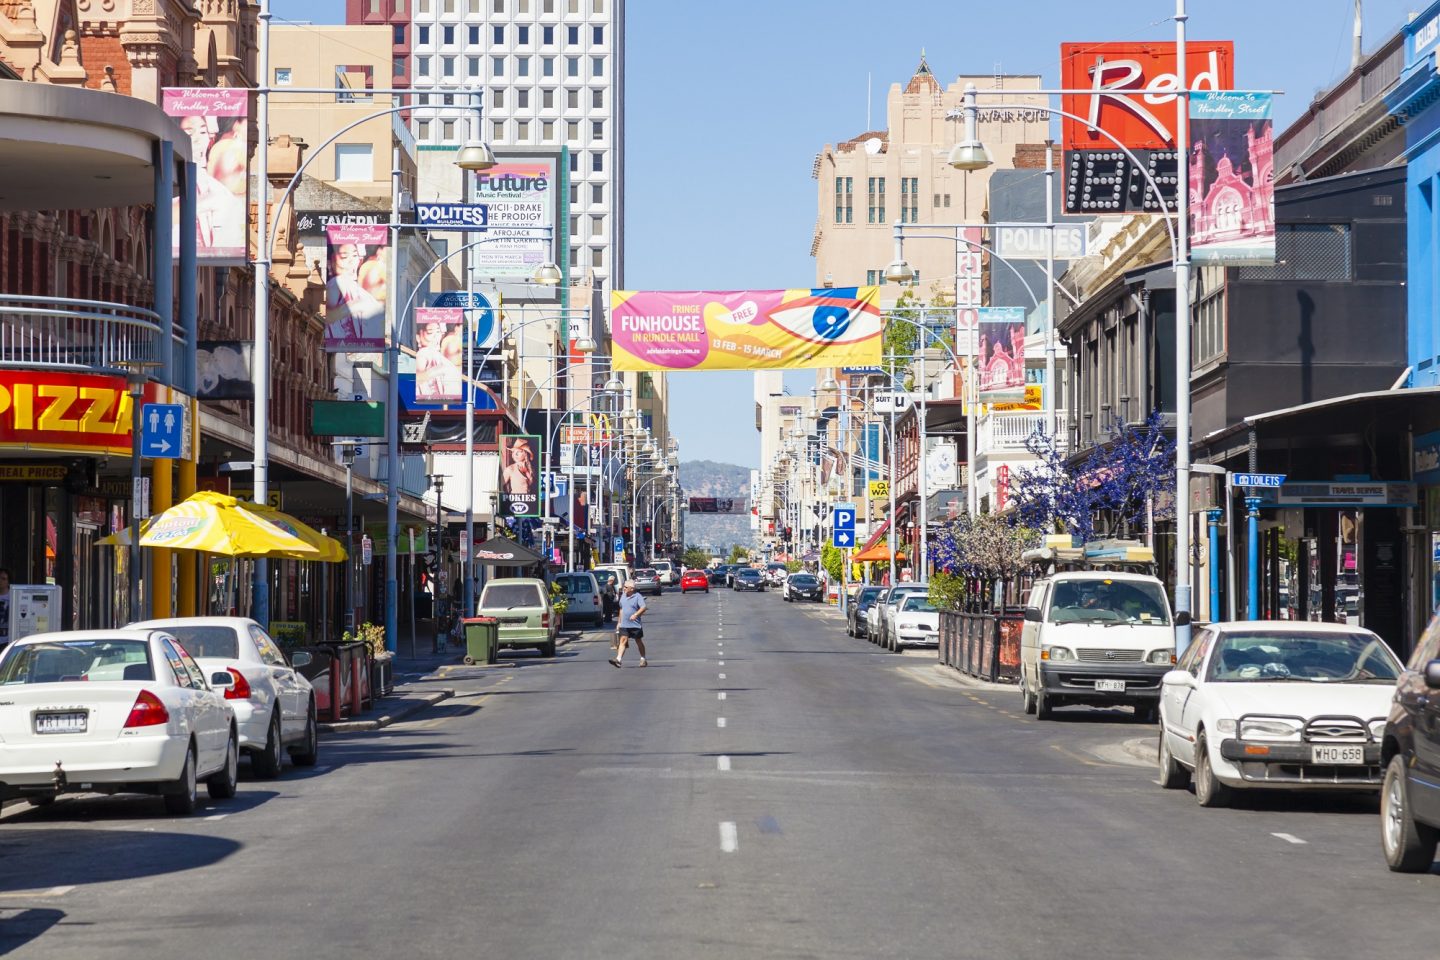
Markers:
(1232, 179)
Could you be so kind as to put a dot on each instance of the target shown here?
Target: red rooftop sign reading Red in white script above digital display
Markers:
(1141, 122)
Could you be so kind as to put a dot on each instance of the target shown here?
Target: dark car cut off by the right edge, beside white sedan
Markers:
(1410, 792)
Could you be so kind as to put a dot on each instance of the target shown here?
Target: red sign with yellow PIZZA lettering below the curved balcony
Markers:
(73, 412)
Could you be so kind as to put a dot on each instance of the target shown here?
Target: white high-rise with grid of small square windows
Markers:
(551, 74)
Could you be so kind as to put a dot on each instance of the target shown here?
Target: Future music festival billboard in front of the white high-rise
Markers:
(521, 196)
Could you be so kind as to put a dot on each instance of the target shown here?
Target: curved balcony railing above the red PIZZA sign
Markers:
(84, 336)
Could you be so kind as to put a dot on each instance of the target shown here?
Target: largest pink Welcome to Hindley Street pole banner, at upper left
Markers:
(215, 120)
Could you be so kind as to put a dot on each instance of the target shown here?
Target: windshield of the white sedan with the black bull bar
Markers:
(1323, 658)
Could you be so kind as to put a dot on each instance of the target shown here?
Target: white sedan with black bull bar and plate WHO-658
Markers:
(1277, 705)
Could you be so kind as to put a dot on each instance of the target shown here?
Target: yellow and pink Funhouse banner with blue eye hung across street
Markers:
(747, 330)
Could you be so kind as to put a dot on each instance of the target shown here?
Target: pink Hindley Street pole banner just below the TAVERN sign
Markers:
(356, 289)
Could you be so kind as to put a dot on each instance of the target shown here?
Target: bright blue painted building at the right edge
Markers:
(1415, 101)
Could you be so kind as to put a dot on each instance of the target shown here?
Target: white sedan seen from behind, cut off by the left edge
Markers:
(113, 712)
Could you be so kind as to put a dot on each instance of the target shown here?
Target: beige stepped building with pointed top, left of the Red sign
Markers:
(899, 173)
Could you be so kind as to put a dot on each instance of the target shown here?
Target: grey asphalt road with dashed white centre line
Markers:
(767, 788)
